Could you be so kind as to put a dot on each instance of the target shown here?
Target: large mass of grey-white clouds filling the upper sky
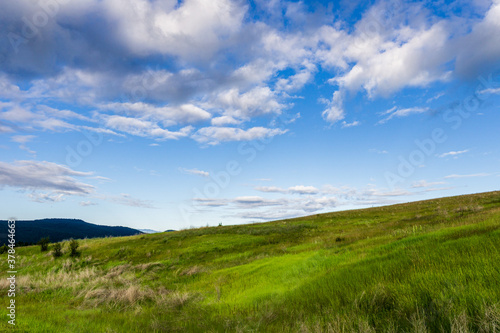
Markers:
(141, 59)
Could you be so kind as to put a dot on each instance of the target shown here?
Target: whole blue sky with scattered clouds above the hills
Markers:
(172, 114)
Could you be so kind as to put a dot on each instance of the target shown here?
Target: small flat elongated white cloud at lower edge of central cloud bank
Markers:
(216, 135)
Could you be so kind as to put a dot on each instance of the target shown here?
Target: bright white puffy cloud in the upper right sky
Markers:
(412, 58)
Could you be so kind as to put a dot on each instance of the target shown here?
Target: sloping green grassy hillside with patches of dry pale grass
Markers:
(429, 266)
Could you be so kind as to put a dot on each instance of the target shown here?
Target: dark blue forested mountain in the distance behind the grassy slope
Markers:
(30, 232)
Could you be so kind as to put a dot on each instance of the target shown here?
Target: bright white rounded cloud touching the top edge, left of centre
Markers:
(178, 29)
